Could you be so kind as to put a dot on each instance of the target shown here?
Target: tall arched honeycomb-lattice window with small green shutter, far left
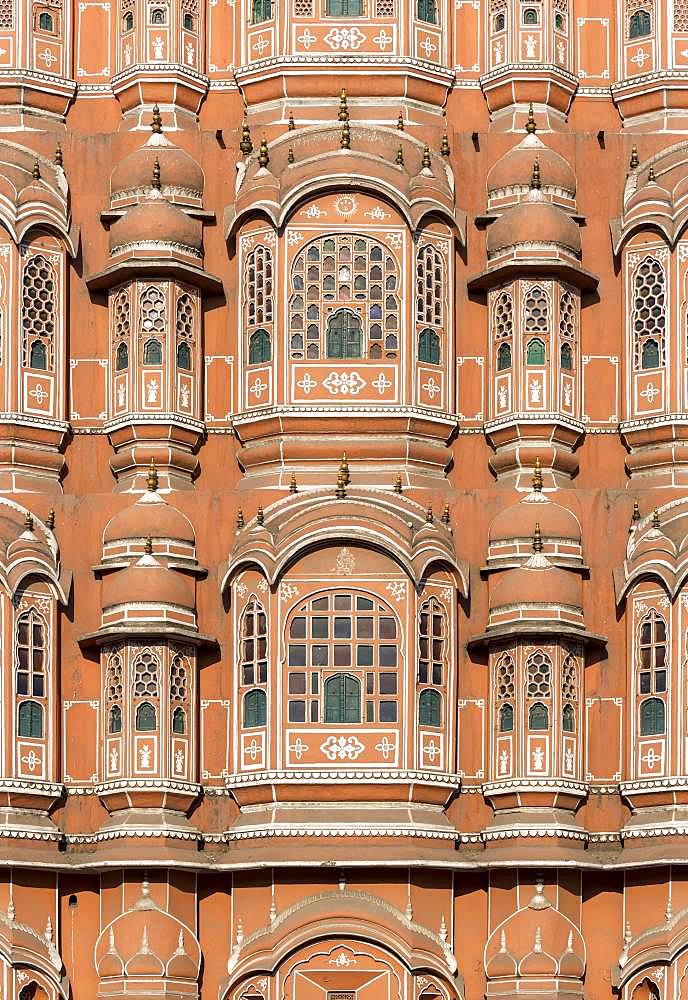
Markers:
(39, 311)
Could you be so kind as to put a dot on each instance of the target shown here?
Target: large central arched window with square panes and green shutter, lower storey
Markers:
(343, 660)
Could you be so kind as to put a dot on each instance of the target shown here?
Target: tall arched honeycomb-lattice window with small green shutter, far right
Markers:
(648, 316)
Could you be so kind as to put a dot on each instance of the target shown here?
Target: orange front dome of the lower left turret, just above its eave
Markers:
(148, 582)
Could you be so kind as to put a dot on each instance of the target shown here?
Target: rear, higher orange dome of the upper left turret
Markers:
(180, 173)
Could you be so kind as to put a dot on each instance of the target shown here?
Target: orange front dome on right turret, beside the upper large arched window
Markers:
(534, 220)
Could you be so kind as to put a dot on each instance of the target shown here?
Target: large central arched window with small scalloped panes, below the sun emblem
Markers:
(344, 282)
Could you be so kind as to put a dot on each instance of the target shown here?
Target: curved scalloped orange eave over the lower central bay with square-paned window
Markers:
(375, 519)
